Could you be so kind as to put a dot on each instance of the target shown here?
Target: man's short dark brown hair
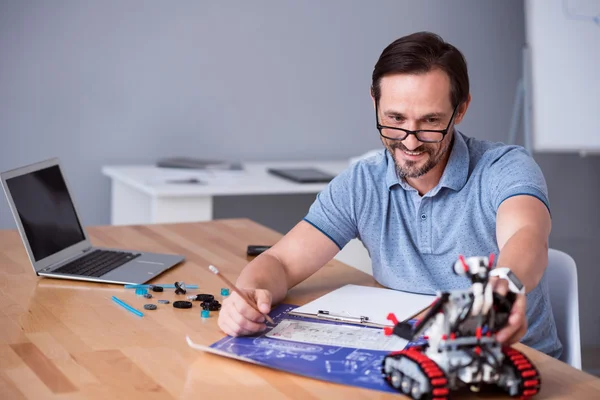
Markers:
(420, 53)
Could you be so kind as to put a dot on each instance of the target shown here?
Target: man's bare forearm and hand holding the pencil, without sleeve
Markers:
(267, 278)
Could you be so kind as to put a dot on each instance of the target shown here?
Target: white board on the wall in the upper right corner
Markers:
(563, 37)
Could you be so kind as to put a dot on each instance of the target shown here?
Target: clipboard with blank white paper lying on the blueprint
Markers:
(365, 305)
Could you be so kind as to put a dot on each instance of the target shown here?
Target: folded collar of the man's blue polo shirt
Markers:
(454, 176)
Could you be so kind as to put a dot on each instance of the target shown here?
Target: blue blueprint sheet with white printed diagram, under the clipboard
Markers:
(317, 349)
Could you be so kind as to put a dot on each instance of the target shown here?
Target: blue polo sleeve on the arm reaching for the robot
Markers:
(514, 172)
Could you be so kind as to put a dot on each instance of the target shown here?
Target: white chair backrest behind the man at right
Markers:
(564, 297)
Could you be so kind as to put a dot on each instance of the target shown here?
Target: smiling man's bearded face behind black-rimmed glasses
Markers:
(416, 102)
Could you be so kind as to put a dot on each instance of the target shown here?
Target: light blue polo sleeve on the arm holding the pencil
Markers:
(333, 210)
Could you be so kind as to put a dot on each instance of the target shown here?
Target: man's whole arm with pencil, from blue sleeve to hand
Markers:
(330, 223)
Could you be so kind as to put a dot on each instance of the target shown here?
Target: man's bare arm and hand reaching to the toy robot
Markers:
(522, 228)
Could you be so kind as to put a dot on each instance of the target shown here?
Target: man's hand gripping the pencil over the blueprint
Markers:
(237, 318)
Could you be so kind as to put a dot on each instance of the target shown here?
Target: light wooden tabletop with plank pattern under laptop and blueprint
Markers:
(68, 340)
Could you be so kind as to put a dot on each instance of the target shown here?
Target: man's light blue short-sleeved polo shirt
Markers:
(414, 240)
